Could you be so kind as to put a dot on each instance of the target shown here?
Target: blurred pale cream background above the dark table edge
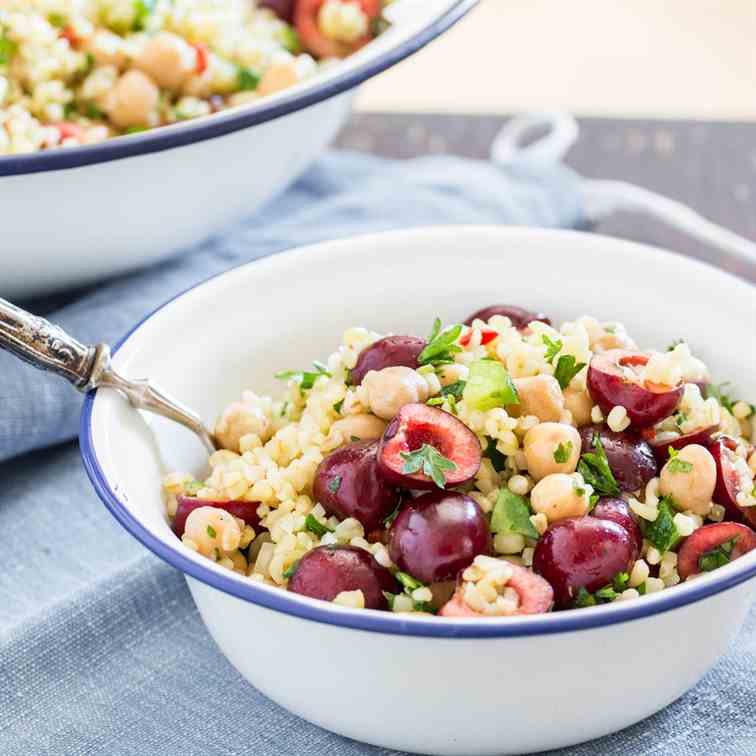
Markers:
(692, 59)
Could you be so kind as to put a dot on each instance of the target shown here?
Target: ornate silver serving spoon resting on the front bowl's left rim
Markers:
(48, 347)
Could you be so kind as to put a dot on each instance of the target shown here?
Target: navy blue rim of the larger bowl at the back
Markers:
(220, 124)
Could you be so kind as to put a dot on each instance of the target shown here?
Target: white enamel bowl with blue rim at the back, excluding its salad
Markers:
(76, 215)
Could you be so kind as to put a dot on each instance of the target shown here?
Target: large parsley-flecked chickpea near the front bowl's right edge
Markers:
(689, 478)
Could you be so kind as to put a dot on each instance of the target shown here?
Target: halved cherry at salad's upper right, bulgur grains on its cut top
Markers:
(614, 380)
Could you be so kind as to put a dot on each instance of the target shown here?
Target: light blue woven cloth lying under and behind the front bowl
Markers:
(101, 649)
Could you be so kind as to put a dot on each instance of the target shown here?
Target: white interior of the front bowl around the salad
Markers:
(237, 330)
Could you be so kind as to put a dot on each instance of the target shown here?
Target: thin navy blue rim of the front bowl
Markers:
(373, 621)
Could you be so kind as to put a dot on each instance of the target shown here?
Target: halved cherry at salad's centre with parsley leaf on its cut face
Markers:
(417, 426)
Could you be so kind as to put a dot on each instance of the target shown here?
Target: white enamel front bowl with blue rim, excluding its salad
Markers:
(428, 685)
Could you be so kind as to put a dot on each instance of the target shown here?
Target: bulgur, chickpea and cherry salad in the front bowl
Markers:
(502, 466)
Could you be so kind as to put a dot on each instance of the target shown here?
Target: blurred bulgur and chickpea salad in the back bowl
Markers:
(76, 72)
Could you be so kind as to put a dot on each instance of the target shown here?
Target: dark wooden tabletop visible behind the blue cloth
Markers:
(709, 166)
